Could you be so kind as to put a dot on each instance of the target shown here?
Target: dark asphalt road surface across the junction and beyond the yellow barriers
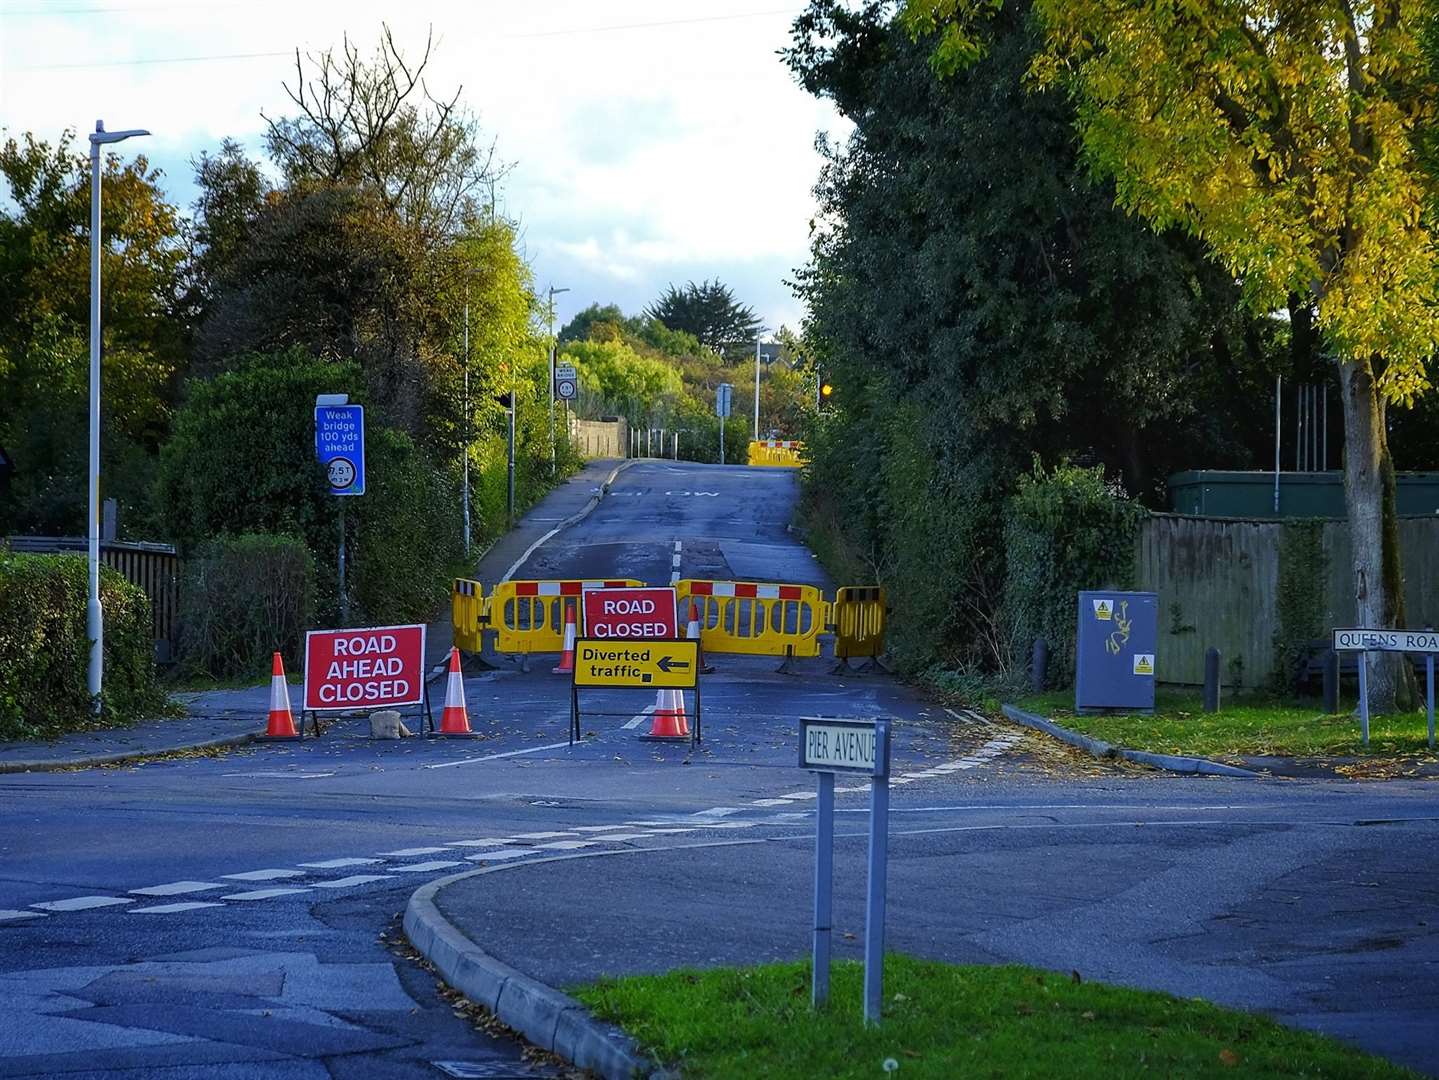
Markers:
(238, 915)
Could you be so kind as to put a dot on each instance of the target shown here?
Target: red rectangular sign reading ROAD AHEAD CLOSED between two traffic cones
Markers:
(365, 669)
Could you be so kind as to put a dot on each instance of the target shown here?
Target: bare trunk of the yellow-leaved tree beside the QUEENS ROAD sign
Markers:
(1365, 494)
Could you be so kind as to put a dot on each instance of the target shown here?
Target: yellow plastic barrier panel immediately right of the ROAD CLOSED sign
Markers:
(756, 619)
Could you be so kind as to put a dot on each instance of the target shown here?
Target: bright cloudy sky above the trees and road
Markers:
(653, 142)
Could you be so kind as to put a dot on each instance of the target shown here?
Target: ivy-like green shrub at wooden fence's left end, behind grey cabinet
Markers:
(1067, 531)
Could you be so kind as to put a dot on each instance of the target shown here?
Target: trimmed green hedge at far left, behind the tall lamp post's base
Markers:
(47, 649)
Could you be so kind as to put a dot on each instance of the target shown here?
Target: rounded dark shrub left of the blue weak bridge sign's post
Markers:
(244, 599)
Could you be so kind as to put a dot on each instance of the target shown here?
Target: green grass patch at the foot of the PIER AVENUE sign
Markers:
(948, 1022)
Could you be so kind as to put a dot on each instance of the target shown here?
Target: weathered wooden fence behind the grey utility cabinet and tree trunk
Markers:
(1218, 582)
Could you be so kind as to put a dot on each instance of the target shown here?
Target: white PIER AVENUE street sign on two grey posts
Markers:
(830, 746)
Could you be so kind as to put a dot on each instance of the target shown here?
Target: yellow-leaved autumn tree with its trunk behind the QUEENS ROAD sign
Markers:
(1284, 137)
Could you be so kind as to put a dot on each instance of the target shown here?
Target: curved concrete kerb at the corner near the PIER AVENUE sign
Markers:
(549, 1019)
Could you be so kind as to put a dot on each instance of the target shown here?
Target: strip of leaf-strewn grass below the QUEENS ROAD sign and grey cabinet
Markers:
(1247, 726)
